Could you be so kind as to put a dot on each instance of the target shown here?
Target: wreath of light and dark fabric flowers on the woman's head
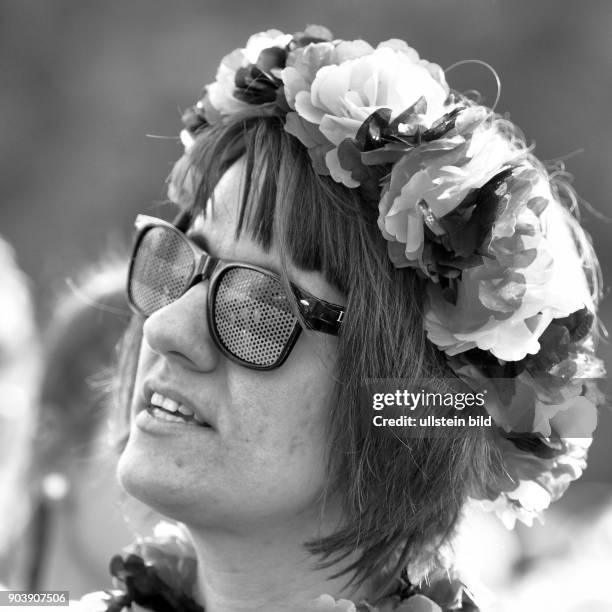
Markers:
(462, 200)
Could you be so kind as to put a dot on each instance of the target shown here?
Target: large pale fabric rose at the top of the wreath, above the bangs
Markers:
(341, 97)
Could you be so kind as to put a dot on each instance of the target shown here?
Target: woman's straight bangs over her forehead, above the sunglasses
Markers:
(316, 224)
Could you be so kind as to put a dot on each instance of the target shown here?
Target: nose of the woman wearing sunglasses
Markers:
(180, 331)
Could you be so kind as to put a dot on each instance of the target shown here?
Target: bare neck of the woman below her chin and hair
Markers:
(267, 569)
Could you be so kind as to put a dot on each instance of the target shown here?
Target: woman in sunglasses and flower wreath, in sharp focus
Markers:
(345, 218)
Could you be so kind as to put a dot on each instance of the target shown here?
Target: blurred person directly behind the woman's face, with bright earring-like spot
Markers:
(78, 519)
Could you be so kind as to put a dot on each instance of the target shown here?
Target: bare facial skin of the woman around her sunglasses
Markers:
(264, 456)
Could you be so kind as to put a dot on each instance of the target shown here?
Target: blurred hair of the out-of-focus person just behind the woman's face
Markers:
(86, 323)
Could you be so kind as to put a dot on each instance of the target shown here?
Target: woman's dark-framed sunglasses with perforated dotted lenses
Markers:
(251, 318)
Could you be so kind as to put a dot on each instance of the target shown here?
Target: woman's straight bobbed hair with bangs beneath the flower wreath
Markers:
(402, 495)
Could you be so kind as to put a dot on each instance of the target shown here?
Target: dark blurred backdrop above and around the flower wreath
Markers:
(85, 84)
